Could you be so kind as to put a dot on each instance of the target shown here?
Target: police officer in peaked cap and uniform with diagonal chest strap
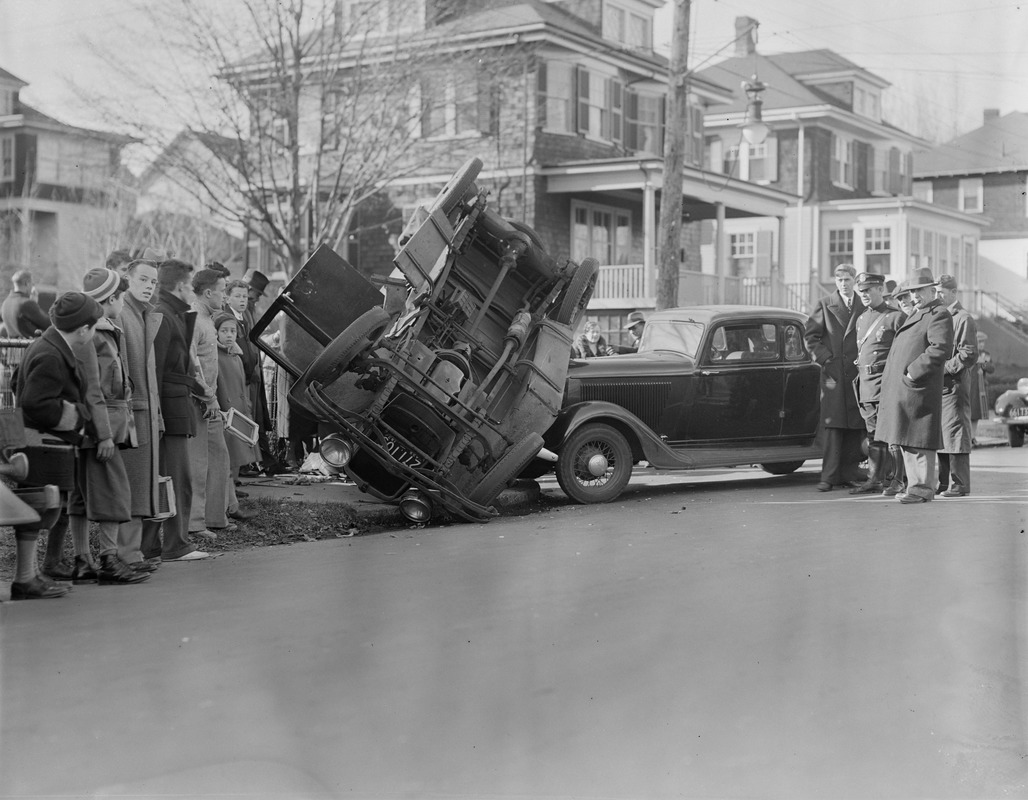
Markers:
(876, 330)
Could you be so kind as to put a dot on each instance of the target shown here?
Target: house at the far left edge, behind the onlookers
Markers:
(58, 216)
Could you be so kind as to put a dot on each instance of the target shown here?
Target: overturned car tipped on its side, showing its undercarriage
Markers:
(438, 402)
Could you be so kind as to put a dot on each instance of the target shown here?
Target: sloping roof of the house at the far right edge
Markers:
(1000, 146)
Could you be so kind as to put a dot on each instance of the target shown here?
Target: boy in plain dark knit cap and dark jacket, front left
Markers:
(52, 395)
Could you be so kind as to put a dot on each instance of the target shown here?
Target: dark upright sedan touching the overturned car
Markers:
(710, 387)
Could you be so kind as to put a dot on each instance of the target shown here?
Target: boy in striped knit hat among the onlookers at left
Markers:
(102, 493)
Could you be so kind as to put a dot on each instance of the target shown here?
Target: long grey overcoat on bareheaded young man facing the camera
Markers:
(140, 323)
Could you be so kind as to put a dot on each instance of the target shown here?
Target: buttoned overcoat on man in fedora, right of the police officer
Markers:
(910, 413)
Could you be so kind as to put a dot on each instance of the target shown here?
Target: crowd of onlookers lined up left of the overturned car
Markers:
(127, 392)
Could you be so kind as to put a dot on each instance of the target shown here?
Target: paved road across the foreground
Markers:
(704, 637)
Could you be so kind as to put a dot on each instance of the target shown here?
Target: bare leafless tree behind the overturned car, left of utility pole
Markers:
(305, 112)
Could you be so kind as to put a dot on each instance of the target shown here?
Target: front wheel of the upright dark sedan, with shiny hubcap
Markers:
(595, 465)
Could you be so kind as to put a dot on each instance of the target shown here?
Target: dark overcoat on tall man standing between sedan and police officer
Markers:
(831, 336)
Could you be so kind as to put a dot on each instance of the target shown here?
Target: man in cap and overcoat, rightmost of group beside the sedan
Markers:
(962, 372)
